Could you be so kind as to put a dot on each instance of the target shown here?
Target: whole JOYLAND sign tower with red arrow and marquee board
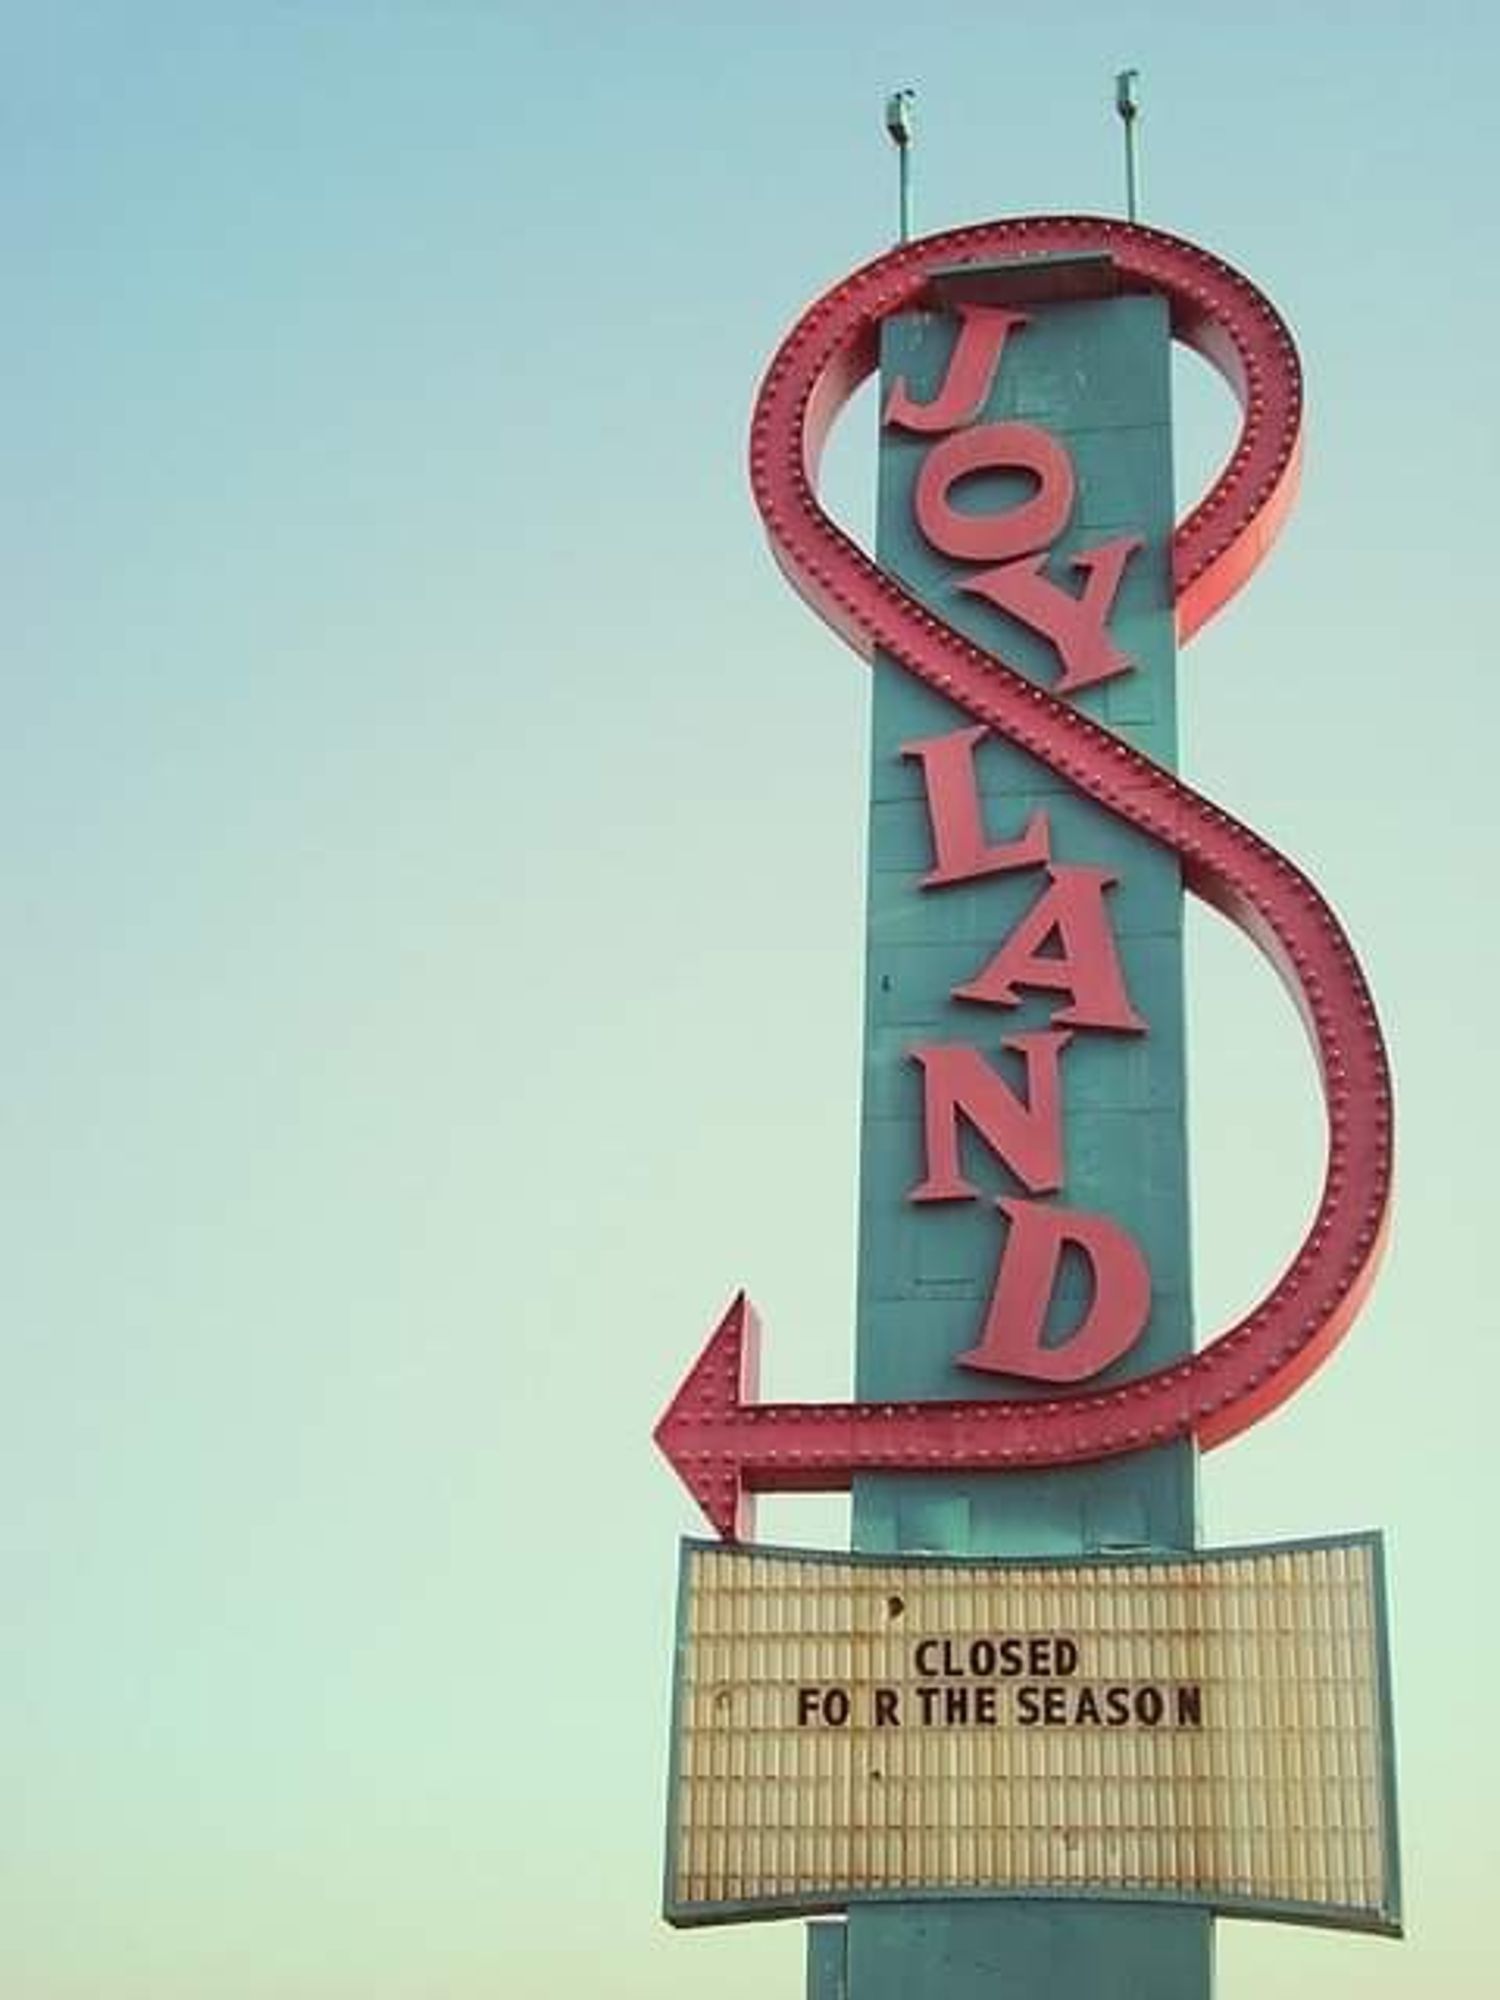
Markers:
(1029, 1737)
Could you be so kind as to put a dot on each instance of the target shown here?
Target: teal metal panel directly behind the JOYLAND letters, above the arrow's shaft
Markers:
(1097, 377)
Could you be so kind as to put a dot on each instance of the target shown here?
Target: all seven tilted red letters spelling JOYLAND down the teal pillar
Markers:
(1063, 943)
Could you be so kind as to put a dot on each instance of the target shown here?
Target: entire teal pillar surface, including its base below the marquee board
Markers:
(1095, 375)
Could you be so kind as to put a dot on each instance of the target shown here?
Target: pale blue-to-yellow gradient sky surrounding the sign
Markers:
(433, 851)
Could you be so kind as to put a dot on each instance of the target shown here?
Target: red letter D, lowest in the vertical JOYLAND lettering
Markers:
(1029, 1271)
